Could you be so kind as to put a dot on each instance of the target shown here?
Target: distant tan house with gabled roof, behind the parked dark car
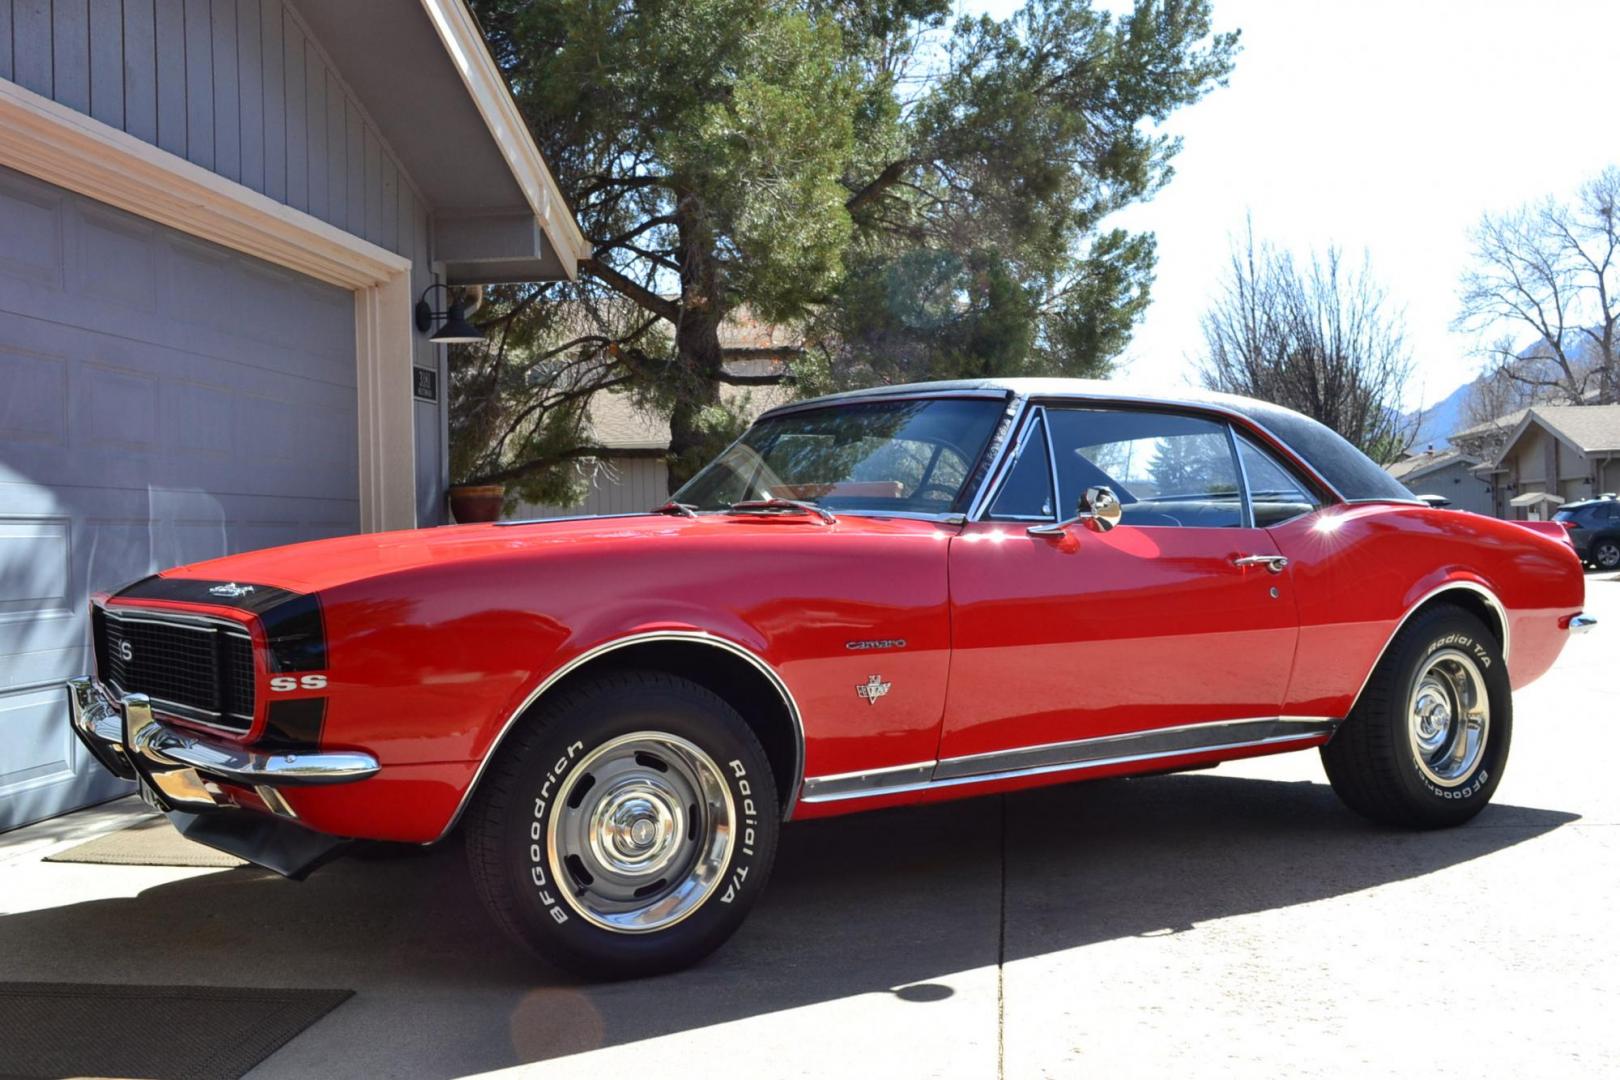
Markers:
(1554, 454)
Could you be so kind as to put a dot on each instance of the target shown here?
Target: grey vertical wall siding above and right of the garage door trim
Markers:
(242, 90)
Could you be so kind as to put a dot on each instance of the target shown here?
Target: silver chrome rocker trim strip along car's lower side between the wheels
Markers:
(1070, 757)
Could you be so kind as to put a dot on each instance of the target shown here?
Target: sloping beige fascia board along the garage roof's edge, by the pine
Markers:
(464, 41)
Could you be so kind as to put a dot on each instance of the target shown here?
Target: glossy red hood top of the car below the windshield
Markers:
(333, 563)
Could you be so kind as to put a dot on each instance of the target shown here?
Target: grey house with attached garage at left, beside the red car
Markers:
(215, 224)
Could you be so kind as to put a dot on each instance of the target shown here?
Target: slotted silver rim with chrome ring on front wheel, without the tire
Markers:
(642, 833)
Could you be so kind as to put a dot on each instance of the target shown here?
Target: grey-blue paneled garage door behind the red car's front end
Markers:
(161, 401)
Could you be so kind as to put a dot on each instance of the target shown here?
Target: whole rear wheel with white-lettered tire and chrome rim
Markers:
(1430, 738)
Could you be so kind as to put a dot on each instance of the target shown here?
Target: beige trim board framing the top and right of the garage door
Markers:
(79, 153)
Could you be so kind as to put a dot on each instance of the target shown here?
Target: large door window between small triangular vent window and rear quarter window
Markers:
(1167, 470)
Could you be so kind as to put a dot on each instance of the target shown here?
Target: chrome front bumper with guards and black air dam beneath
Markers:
(181, 775)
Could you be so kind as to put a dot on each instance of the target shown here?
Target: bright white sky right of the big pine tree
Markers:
(1386, 127)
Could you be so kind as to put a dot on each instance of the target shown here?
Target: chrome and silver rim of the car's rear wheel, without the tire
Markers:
(1449, 718)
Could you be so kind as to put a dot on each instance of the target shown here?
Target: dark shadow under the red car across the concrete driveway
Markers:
(885, 903)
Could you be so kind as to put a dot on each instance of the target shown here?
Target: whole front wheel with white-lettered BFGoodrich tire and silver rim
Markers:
(626, 828)
